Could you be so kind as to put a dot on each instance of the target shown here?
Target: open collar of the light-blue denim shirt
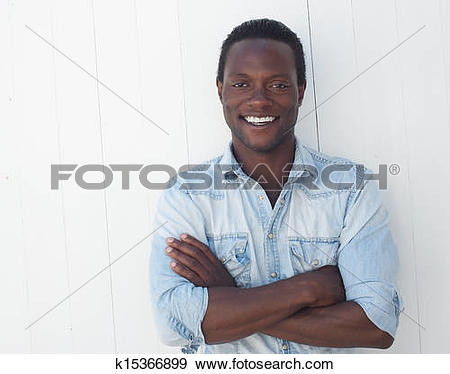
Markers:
(303, 163)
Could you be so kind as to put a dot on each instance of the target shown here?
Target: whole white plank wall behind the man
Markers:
(116, 66)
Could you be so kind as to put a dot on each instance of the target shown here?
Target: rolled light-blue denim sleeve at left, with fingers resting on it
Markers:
(178, 305)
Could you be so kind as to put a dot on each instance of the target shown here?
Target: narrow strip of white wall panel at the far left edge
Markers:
(14, 338)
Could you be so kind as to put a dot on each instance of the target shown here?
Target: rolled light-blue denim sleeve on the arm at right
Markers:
(368, 259)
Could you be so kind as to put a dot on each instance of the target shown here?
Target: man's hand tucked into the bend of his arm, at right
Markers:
(326, 285)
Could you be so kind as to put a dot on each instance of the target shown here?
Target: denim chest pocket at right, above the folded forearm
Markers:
(308, 254)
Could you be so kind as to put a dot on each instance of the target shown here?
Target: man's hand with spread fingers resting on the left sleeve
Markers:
(197, 263)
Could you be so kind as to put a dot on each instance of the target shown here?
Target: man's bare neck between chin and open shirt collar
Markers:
(272, 168)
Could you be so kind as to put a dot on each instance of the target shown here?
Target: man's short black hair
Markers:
(268, 29)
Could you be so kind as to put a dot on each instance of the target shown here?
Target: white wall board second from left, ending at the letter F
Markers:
(43, 225)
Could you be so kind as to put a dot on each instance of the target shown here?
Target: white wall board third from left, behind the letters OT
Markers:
(80, 143)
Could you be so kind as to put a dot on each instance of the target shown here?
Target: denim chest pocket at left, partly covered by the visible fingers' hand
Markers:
(232, 250)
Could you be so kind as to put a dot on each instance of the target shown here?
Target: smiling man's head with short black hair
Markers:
(261, 74)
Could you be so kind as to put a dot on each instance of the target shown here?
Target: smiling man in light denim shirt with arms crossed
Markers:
(276, 258)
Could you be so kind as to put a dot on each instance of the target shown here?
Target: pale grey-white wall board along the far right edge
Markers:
(425, 92)
